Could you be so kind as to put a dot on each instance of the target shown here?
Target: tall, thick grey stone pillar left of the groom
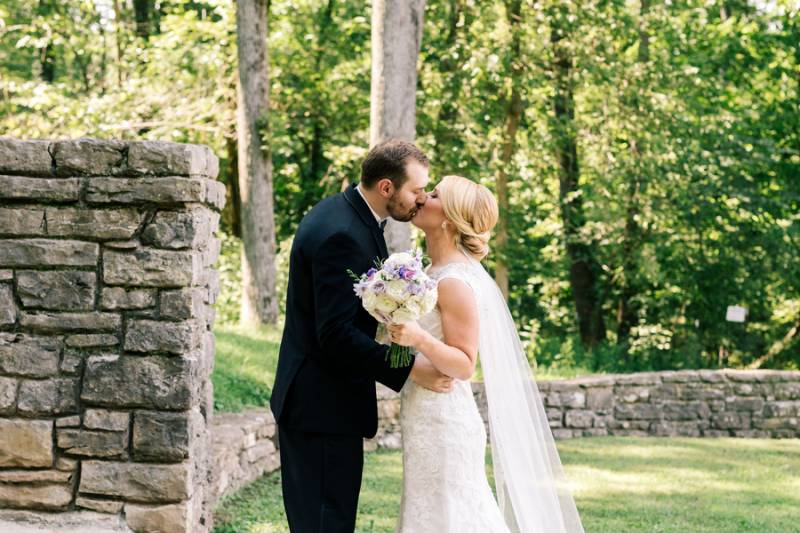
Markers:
(106, 290)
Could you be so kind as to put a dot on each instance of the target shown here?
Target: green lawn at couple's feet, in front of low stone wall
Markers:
(621, 484)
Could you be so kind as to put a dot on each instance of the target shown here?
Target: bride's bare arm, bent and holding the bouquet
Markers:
(457, 355)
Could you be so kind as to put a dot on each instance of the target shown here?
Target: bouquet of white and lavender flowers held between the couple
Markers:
(397, 291)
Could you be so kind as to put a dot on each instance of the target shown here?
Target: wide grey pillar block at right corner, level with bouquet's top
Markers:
(151, 268)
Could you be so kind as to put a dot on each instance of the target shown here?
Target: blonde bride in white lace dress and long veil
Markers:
(445, 488)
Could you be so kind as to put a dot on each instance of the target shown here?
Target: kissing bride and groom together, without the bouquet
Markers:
(324, 397)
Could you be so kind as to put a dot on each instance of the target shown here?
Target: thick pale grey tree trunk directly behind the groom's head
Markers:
(396, 38)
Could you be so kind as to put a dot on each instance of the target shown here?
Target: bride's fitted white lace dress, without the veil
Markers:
(445, 488)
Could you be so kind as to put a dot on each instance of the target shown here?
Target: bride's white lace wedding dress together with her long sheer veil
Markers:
(445, 487)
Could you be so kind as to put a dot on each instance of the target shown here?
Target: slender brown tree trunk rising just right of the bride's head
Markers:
(511, 121)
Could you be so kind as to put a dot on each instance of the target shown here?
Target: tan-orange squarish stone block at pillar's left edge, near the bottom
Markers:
(26, 443)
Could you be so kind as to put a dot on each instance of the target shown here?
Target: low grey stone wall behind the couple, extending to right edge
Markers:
(691, 403)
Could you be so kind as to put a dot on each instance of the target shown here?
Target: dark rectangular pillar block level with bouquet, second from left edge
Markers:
(57, 289)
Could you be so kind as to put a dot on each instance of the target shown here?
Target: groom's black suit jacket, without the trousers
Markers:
(329, 361)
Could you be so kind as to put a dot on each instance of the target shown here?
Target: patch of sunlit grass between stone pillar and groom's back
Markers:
(244, 367)
